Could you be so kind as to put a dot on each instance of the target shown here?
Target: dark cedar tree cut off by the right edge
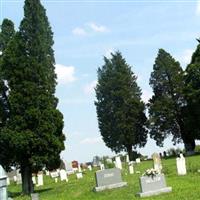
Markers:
(192, 80)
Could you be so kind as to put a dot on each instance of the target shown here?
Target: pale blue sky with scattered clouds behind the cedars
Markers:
(87, 30)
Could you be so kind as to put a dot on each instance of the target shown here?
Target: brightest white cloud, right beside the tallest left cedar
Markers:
(65, 74)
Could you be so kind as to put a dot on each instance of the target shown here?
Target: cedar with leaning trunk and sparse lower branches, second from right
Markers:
(167, 105)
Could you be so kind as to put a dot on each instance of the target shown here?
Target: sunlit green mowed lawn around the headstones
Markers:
(184, 187)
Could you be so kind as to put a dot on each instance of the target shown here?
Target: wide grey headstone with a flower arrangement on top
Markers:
(153, 185)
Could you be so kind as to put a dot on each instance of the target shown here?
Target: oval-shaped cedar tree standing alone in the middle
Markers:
(120, 111)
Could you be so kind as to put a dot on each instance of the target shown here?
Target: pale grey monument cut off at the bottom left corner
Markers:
(3, 184)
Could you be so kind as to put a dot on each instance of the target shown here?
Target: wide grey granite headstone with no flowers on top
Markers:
(108, 179)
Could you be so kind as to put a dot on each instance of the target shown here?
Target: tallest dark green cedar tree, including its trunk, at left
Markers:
(33, 132)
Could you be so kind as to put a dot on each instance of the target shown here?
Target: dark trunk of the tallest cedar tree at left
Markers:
(27, 184)
